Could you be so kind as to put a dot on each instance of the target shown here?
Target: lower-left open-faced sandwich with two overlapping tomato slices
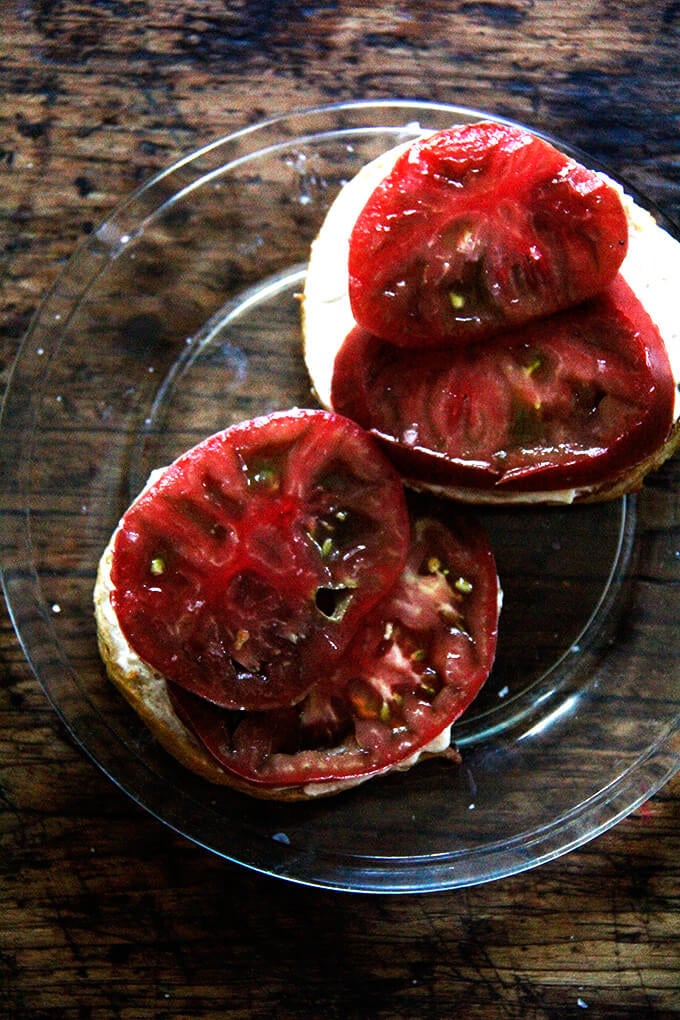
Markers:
(279, 621)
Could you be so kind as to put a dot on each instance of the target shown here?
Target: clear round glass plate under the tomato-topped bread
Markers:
(179, 317)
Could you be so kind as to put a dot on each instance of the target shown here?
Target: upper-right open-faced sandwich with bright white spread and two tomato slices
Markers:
(500, 318)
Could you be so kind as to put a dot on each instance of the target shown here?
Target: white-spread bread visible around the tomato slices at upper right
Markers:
(652, 269)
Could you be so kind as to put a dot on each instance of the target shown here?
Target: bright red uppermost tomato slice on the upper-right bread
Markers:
(478, 229)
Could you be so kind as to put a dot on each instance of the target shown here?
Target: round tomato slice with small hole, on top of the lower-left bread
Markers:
(244, 571)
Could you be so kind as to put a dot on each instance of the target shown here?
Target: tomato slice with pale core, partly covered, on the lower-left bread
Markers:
(412, 669)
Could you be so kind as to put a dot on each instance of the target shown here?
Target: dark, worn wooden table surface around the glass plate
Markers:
(104, 912)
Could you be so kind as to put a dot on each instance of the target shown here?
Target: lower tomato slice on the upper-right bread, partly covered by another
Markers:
(566, 401)
